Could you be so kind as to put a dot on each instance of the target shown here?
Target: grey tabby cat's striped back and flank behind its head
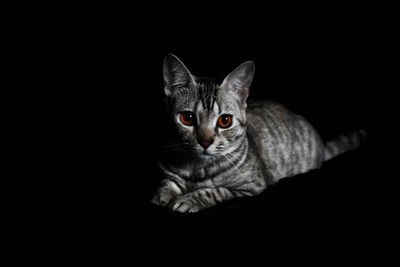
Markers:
(286, 143)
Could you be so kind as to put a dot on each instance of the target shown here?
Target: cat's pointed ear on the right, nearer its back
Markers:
(240, 79)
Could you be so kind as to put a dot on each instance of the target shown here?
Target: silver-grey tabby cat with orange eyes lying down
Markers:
(227, 147)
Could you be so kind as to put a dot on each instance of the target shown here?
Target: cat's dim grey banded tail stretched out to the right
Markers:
(344, 143)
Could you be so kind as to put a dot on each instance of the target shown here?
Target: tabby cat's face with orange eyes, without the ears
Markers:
(208, 119)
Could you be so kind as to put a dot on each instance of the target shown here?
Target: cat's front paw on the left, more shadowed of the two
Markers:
(168, 190)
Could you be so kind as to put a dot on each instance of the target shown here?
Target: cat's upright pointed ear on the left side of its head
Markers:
(175, 74)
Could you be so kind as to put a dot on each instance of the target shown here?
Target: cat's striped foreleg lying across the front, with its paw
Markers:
(200, 199)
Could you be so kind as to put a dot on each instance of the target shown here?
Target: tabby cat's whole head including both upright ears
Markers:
(210, 118)
